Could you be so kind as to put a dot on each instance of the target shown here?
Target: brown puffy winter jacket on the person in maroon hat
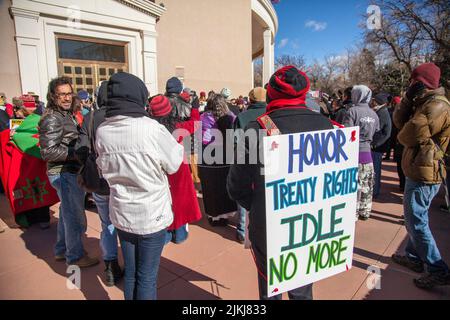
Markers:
(423, 124)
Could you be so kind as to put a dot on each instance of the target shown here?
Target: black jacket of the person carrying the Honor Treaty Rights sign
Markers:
(245, 183)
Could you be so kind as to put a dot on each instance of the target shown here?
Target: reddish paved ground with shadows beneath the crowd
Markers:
(212, 265)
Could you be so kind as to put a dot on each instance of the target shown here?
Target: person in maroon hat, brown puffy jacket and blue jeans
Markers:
(423, 118)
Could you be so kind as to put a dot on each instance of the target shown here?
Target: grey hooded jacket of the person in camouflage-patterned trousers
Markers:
(363, 116)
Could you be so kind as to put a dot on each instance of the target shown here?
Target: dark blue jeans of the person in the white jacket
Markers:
(141, 254)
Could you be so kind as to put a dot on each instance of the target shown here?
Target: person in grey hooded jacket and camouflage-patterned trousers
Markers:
(363, 116)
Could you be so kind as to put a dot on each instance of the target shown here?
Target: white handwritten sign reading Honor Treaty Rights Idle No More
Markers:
(311, 181)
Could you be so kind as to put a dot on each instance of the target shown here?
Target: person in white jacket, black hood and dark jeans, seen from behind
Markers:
(135, 154)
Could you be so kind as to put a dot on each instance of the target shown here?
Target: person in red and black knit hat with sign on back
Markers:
(286, 113)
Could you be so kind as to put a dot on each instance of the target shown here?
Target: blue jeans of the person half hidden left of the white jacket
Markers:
(108, 236)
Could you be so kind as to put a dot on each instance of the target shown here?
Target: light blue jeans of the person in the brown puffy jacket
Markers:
(421, 246)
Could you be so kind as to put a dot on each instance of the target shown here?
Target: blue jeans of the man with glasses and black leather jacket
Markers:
(72, 218)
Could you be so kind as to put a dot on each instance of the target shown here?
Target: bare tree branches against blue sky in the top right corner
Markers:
(414, 32)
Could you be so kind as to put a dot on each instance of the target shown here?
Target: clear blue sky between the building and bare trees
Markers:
(317, 28)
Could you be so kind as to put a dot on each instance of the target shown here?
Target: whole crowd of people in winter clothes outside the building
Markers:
(146, 182)
